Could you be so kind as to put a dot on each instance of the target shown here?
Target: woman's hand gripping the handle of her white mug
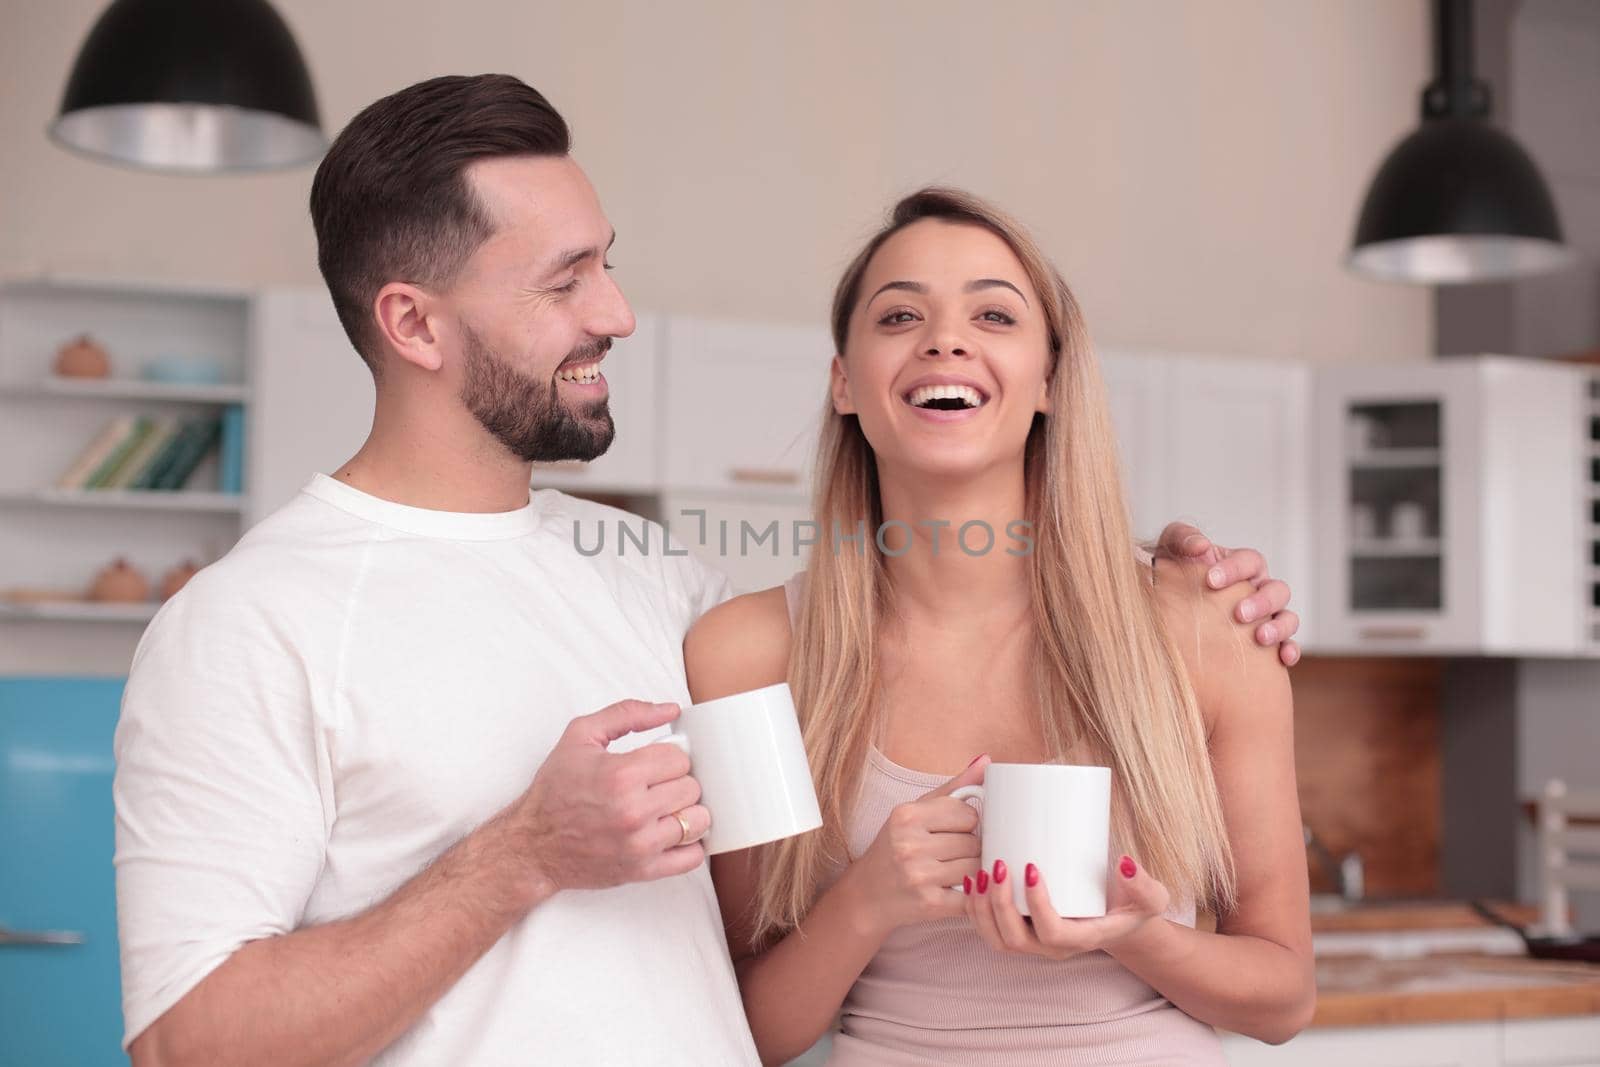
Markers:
(924, 849)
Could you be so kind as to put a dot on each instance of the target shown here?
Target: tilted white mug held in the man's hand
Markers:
(748, 756)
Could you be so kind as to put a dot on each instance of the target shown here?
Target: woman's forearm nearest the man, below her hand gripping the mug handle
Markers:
(793, 991)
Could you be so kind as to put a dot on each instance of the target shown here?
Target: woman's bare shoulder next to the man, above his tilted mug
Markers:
(742, 644)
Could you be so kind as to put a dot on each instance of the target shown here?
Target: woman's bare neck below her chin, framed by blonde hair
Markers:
(967, 562)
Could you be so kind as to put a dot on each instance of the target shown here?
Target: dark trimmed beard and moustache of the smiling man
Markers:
(526, 415)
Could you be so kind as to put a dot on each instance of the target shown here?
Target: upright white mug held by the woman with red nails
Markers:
(1057, 818)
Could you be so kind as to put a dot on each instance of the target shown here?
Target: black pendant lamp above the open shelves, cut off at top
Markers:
(191, 87)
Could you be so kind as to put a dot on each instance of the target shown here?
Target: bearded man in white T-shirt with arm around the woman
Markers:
(356, 813)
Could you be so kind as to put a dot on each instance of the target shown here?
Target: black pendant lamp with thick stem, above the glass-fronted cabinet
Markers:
(1458, 201)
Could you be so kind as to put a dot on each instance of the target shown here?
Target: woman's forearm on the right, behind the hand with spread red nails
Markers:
(1236, 983)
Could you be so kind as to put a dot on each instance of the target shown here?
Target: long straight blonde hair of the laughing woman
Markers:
(1110, 684)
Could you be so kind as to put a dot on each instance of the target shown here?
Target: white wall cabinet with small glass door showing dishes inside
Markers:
(1452, 502)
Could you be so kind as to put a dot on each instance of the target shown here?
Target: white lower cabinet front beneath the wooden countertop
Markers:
(1559, 1042)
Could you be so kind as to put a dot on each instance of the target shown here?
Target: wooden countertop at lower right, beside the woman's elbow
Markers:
(1356, 991)
